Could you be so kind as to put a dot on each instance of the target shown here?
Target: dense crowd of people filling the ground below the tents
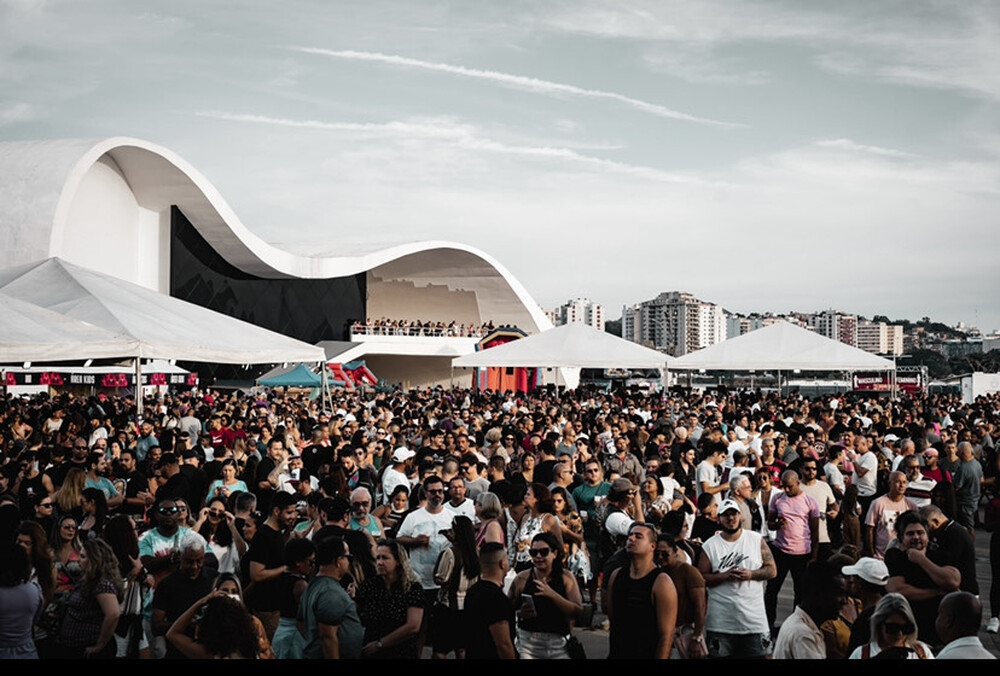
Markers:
(490, 525)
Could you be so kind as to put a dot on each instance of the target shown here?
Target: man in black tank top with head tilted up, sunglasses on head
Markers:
(642, 601)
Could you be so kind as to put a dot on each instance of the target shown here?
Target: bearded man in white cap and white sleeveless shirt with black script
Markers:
(736, 564)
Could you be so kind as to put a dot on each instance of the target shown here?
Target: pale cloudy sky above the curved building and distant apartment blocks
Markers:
(766, 156)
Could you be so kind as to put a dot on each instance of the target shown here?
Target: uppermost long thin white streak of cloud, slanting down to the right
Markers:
(516, 81)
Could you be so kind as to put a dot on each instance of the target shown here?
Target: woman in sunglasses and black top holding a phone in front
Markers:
(547, 600)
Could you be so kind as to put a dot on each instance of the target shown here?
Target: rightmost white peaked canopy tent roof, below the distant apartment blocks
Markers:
(782, 346)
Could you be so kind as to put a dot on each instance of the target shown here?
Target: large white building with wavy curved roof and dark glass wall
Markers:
(138, 211)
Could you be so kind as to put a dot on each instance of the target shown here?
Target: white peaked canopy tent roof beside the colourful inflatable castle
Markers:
(572, 345)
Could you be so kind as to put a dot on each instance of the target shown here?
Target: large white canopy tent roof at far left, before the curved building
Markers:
(142, 323)
